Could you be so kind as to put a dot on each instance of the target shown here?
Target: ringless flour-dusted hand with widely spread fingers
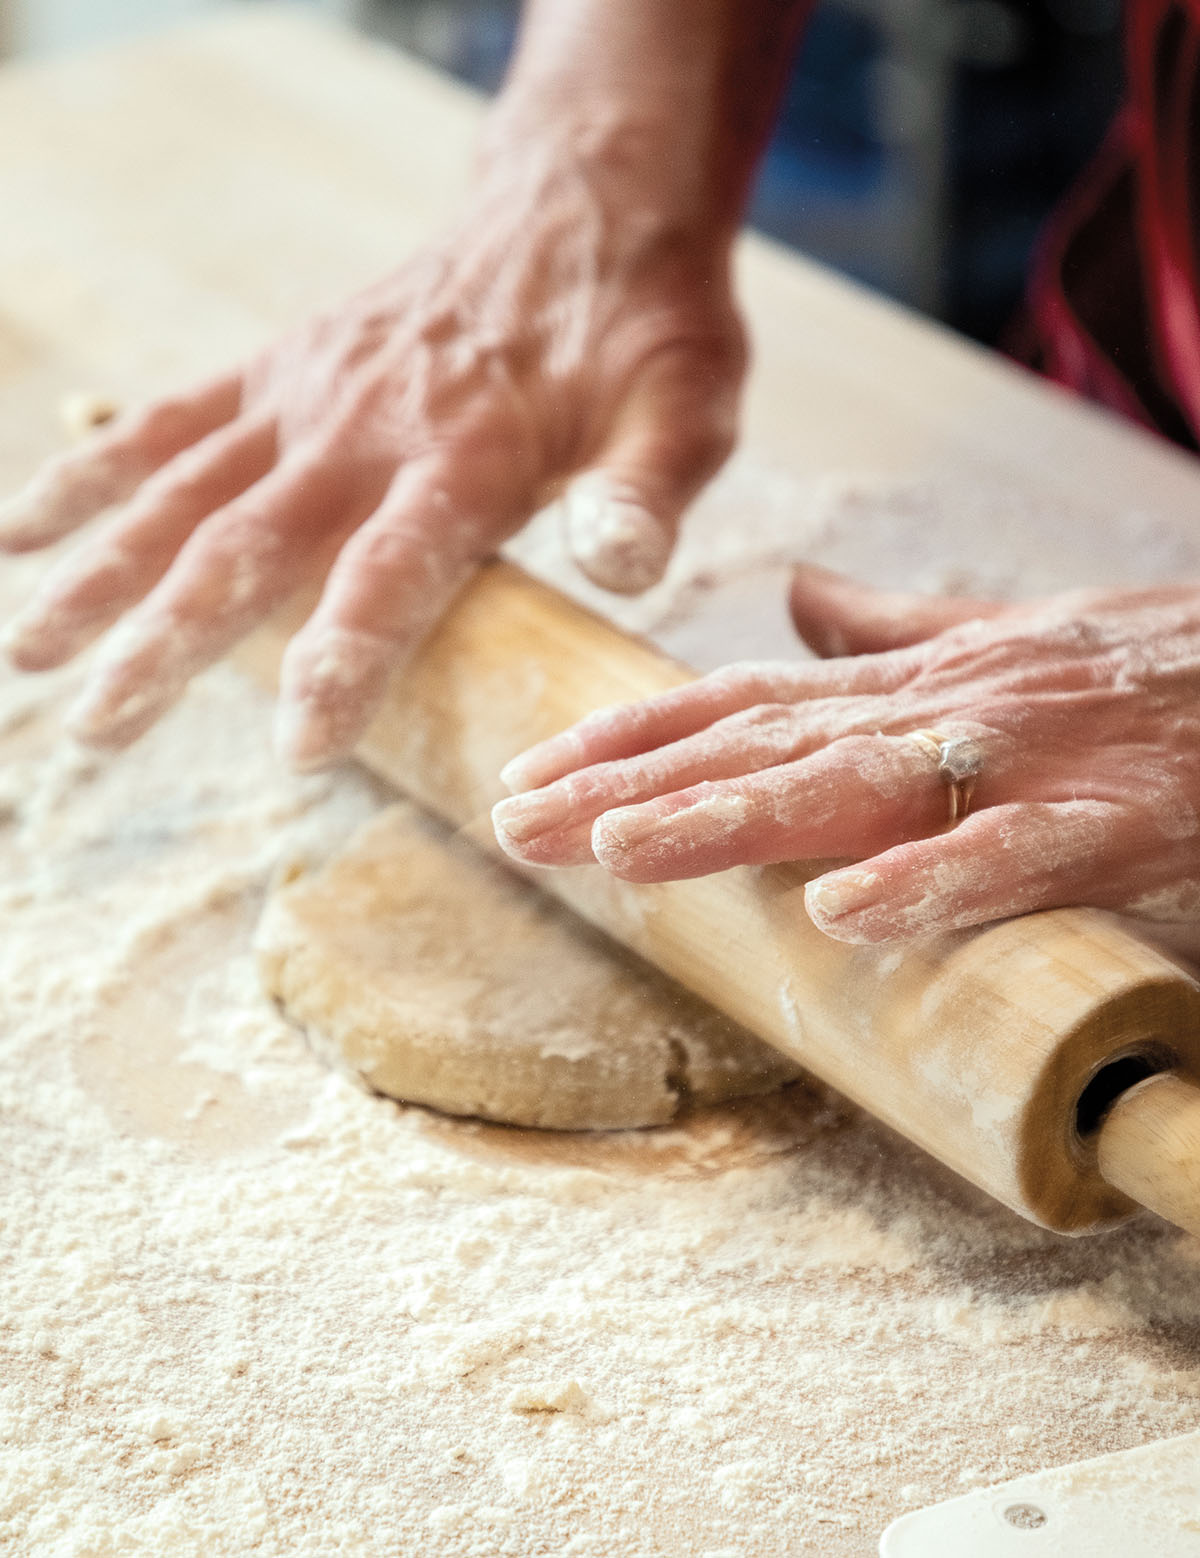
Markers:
(570, 323)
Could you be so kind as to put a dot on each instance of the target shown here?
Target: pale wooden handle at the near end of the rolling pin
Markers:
(1149, 1147)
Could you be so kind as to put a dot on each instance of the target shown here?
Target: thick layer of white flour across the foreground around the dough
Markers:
(250, 1309)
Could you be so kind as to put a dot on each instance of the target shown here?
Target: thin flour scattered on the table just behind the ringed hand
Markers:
(724, 596)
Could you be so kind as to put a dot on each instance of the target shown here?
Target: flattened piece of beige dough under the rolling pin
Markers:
(440, 978)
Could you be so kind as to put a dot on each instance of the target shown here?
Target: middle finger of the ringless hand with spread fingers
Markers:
(235, 571)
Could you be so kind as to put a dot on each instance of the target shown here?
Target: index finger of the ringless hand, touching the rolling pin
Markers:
(390, 585)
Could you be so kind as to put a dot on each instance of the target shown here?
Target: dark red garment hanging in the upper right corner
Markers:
(1114, 294)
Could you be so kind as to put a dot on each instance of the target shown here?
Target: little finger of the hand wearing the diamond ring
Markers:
(1000, 862)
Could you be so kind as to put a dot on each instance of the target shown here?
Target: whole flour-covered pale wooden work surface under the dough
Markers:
(252, 1309)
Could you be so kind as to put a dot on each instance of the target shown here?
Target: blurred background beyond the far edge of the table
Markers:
(920, 146)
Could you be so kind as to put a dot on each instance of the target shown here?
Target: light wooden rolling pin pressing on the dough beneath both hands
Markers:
(1053, 1060)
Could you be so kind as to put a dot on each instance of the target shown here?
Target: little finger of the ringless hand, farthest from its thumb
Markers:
(110, 468)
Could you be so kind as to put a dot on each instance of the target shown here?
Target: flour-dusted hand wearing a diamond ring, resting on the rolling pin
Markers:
(1085, 710)
